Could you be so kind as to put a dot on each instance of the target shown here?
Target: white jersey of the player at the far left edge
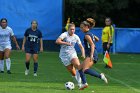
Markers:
(5, 35)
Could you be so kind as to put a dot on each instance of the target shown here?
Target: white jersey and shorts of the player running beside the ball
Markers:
(67, 53)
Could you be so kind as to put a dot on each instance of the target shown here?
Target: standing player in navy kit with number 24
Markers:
(32, 44)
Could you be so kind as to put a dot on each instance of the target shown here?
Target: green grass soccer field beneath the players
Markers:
(123, 78)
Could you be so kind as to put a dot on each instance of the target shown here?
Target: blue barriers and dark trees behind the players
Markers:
(52, 17)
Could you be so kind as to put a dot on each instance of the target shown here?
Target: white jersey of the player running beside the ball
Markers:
(70, 39)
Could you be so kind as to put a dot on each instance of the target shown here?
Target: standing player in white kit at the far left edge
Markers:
(6, 34)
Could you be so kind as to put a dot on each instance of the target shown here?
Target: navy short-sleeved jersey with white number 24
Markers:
(33, 37)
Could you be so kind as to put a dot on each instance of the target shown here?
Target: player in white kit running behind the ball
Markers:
(68, 54)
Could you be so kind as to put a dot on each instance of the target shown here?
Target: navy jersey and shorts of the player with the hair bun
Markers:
(88, 47)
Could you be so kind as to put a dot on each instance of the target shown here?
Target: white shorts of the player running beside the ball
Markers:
(66, 58)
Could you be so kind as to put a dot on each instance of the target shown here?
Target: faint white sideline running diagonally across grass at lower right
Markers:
(121, 82)
